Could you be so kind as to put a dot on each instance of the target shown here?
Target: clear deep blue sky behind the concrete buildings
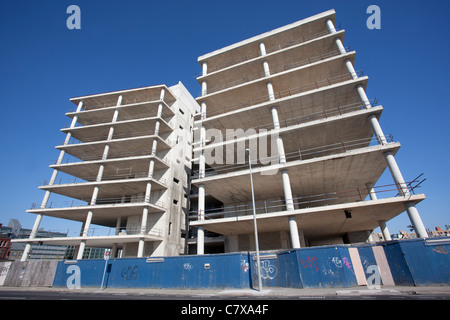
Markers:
(134, 43)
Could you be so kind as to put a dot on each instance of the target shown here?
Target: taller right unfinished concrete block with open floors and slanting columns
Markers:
(299, 82)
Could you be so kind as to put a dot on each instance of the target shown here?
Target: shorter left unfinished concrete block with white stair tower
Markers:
(124, 164)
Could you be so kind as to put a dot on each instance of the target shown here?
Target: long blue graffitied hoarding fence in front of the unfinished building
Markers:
(418, 262)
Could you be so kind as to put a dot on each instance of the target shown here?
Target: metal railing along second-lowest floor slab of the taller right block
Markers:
(301, 154)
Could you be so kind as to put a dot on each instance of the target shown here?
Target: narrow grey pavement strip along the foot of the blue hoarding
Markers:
(276, 293)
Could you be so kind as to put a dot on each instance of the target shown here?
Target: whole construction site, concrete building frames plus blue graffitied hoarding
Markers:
(282, 151)
